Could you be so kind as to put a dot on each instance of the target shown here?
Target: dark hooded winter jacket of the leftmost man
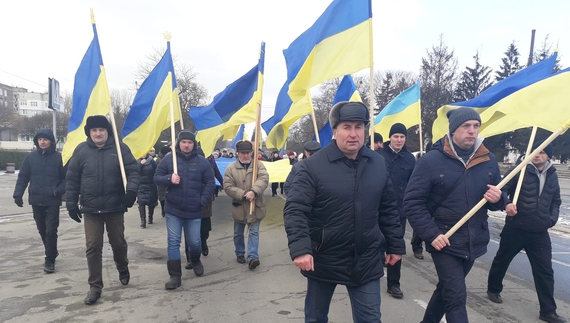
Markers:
(44, 172)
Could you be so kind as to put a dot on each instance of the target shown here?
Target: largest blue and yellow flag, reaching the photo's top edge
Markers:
(338, 43)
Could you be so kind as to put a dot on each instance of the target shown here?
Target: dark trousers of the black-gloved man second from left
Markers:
(95, 225)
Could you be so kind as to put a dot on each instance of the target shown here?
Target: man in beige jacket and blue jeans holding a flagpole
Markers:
(239, 185)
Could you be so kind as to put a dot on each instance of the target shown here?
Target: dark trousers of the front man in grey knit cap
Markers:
(450, 295)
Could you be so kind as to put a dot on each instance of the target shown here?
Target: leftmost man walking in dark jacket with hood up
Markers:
(43, 171)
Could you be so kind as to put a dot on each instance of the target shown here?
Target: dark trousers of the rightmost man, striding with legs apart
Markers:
(538, 248)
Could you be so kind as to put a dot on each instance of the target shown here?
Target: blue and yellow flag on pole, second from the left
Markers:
(149, 114)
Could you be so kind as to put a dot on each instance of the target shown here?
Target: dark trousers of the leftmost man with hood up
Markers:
(47, 222)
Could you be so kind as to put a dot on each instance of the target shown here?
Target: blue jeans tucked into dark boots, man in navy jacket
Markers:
(174, 226)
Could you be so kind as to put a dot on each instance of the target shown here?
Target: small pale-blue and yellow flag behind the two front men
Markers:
(404, 109)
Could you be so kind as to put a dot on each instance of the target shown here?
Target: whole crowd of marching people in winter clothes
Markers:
(345, 212)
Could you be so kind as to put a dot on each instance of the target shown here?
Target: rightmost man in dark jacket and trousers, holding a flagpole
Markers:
(526, 227)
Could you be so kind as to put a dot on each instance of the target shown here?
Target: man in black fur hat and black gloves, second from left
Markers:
(94, 181)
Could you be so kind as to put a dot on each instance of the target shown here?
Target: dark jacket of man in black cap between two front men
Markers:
(400, 167)
